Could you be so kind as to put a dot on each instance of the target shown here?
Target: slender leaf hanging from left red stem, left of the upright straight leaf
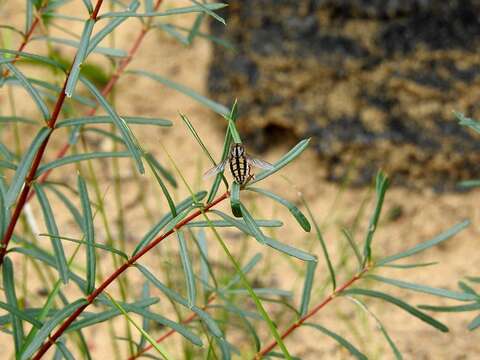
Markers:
(52, 229)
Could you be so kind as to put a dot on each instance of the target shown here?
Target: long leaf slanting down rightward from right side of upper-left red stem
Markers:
(127, 135)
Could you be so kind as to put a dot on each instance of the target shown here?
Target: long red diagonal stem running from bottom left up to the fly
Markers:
(90, 298)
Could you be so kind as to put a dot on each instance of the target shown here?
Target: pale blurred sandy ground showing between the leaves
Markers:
(423, 214)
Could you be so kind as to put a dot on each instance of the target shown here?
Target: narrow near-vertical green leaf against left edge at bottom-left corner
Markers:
(11, 297)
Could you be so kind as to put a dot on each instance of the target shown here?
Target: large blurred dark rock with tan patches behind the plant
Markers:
(374, 82)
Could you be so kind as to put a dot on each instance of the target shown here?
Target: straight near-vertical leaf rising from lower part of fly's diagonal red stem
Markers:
(89, 234)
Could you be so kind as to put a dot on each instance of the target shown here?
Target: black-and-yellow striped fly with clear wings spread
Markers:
(240, 165)
